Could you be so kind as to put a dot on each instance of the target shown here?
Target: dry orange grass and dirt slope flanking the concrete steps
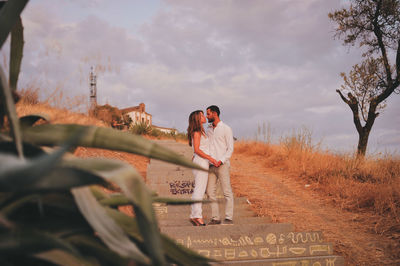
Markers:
(356, 203)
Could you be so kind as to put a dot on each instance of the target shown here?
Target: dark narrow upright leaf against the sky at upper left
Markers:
(17, 46)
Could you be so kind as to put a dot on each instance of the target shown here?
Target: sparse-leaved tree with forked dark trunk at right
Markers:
(375, 26)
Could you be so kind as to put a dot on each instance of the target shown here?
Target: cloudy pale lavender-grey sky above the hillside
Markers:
(272, 62)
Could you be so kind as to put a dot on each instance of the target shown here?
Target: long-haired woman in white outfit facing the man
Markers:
(198, 139)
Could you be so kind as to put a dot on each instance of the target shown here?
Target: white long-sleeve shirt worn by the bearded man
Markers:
(221, 142)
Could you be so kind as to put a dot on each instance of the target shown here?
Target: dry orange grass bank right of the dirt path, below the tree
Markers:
(370, 184)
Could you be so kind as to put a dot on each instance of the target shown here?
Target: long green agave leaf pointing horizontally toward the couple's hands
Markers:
(106, 138)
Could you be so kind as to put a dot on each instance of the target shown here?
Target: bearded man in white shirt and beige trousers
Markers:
(221, 148)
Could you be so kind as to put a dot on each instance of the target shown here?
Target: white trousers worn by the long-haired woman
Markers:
(200, 185)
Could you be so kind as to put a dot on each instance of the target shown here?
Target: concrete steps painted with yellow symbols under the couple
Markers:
(250, 240)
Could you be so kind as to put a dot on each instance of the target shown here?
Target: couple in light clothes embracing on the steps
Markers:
(212, 149)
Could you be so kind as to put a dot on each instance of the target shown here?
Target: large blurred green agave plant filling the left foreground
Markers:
(52, 207)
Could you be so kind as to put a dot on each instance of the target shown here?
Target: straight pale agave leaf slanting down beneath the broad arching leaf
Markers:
(111, 234)
